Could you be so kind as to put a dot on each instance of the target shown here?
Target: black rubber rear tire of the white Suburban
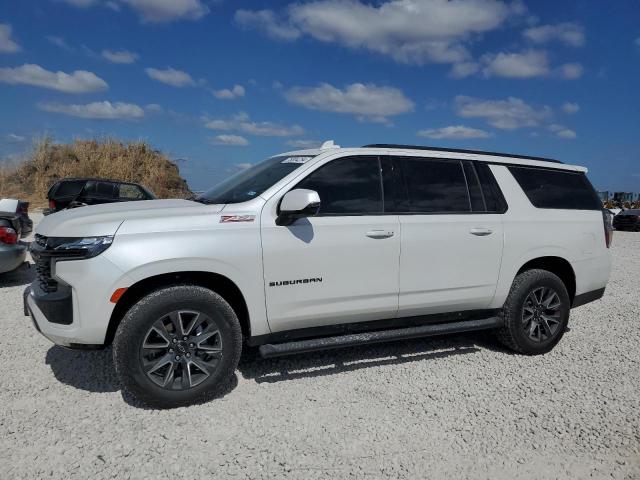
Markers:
(518, 333)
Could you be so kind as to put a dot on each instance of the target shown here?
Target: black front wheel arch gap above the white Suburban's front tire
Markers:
(220, 284)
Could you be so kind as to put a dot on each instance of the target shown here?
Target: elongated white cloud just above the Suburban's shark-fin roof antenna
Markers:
(366, 101)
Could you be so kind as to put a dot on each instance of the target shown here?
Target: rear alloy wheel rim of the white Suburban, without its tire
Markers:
(541, 314)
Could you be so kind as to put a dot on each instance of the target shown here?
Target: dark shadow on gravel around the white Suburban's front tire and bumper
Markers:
(93, 371)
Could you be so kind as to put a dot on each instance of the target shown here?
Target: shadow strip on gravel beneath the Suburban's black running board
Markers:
(330, 362)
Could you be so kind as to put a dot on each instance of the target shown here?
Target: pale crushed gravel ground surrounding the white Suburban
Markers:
(457, 406)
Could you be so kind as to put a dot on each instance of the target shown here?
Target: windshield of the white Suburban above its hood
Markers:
(250, 183)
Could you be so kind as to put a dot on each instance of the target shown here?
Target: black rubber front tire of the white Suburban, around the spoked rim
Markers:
(134, 332)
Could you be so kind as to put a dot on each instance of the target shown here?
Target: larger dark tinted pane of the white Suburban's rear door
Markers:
(433, 186)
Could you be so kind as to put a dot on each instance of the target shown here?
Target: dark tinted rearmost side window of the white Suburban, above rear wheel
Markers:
(556, 189)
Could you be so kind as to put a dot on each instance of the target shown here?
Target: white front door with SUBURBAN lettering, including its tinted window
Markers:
(340, 266)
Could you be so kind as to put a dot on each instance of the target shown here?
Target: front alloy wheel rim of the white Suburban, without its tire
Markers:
(181, 350)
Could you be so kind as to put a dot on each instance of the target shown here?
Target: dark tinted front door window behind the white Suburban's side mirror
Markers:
(347, 186)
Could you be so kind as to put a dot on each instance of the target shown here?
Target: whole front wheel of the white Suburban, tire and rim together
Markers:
(177, 346)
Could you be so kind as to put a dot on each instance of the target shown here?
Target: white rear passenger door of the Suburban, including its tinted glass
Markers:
(452, 235)
